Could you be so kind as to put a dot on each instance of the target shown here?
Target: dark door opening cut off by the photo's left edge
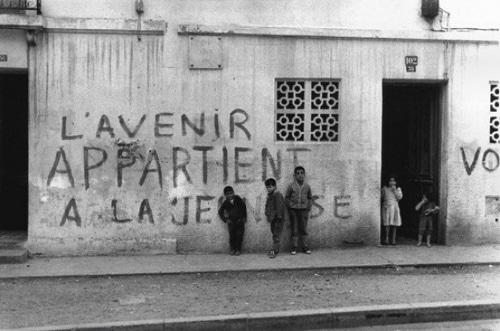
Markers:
(13, 152)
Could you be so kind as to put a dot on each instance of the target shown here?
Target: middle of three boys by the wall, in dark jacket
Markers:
(275, 212)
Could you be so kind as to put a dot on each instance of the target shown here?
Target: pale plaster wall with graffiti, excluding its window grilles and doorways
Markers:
(98, 94)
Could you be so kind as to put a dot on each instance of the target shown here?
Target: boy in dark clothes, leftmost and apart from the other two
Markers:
(233, 211)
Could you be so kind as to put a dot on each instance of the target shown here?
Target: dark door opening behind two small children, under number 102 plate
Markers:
(410, 148)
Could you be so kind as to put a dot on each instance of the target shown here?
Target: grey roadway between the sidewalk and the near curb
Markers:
(29, 302)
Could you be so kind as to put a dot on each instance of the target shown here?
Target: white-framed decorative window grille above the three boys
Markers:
(307, 110)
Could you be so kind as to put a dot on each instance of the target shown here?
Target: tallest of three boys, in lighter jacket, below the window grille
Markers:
(298, 199)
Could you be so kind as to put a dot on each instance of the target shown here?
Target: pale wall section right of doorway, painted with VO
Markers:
(473, 163)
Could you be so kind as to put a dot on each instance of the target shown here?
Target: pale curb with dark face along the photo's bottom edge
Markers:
(310, 319)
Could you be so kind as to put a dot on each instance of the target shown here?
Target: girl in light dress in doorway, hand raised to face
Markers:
(391, 217)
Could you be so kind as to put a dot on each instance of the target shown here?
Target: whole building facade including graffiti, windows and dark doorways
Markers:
(138, 114)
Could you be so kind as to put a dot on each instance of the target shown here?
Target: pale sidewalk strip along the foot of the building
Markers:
(357, 257)
